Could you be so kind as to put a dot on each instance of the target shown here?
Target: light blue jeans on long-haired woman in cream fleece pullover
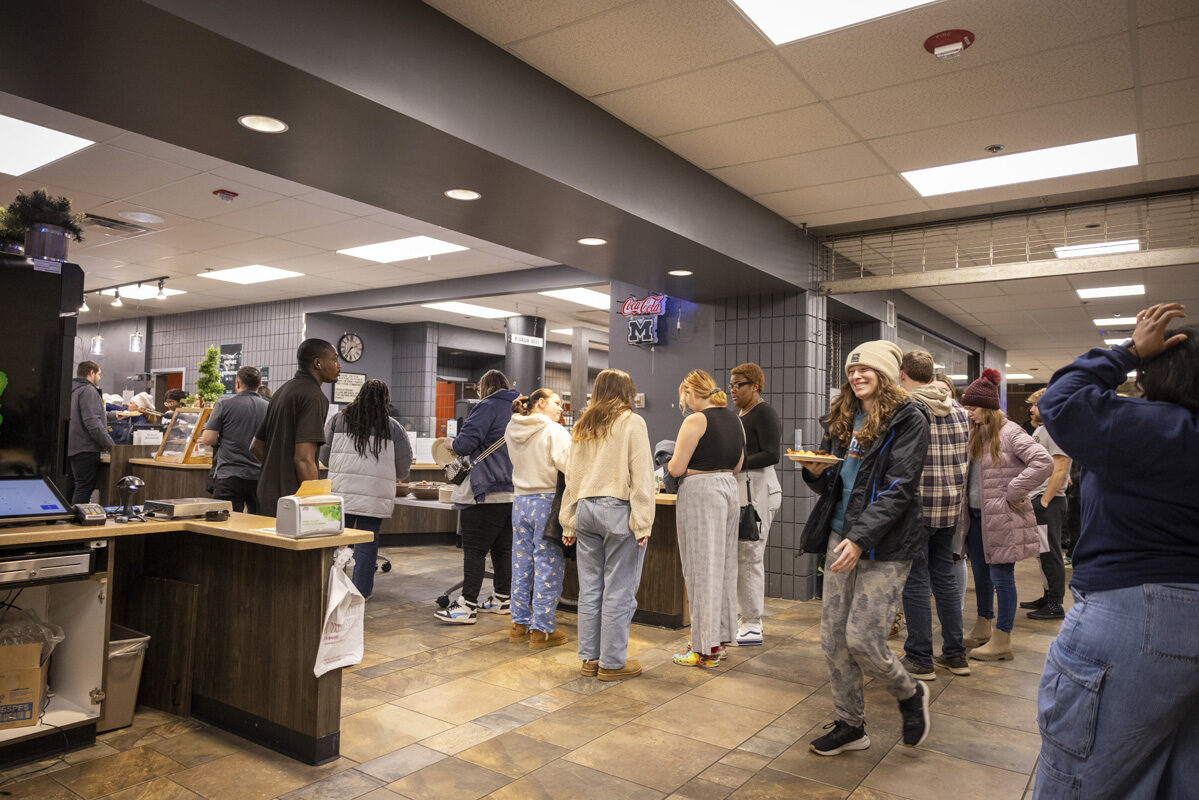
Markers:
(610, 563)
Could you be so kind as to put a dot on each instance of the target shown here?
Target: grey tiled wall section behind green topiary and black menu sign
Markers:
(269, 333)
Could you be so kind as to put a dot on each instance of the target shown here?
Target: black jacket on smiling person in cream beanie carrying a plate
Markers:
(884, 516)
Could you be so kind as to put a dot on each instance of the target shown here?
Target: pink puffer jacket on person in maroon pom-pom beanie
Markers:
(1010, 537)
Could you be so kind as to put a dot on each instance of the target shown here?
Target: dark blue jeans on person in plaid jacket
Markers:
(933, 569)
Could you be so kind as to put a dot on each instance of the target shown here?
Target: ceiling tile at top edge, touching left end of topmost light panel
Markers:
(641, 43)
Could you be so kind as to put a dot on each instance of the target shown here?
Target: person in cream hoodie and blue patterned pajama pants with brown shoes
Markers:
(540, 449)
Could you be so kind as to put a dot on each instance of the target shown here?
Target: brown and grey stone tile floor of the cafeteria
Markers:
(450, 713)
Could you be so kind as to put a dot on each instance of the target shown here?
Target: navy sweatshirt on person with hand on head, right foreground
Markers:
(1140, 461)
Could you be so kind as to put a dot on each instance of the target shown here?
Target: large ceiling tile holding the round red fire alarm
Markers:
(890, 51)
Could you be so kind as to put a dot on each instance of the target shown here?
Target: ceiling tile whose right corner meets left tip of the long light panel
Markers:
(843, 164)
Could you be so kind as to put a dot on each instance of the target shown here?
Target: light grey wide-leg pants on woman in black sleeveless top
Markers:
(707, 515)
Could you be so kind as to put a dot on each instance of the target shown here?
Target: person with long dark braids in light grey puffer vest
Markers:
(367, 453)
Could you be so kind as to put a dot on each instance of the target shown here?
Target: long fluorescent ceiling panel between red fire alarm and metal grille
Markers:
(1023, 167)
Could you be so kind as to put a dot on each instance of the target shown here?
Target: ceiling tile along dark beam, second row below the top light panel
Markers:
(799, 130)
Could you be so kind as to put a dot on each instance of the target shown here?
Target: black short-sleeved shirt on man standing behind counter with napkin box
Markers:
(297, 414)
